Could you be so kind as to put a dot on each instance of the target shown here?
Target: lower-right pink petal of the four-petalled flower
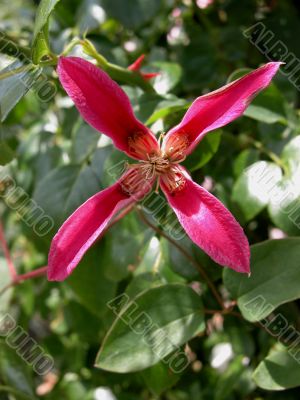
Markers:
(210, 225)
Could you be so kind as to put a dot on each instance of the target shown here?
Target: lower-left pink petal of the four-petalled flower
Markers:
(84, 226)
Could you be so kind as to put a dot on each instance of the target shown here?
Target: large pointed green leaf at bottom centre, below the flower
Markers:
(150, 327)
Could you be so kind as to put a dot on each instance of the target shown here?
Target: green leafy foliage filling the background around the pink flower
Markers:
(238, 333)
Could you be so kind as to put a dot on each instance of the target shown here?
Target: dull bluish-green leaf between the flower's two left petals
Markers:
(64, 189)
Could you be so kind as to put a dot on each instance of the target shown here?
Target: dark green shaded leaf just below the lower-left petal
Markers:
(88, 281)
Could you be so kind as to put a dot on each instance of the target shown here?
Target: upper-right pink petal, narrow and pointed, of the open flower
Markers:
(220, 107)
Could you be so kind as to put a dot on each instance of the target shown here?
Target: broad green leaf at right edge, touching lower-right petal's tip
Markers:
(271, 270)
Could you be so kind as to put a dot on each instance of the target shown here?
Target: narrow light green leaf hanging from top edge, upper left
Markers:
(40, 41)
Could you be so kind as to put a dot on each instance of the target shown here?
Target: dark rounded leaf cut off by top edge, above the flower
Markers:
(133, 13)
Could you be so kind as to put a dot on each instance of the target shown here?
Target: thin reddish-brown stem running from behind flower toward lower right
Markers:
(199, 268)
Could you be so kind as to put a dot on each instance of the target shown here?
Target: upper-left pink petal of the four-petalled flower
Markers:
(101, 102)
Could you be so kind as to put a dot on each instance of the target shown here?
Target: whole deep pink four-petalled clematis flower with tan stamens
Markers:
(105, 106)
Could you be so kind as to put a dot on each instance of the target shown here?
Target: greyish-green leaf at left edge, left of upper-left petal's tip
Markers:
(13, 88)
